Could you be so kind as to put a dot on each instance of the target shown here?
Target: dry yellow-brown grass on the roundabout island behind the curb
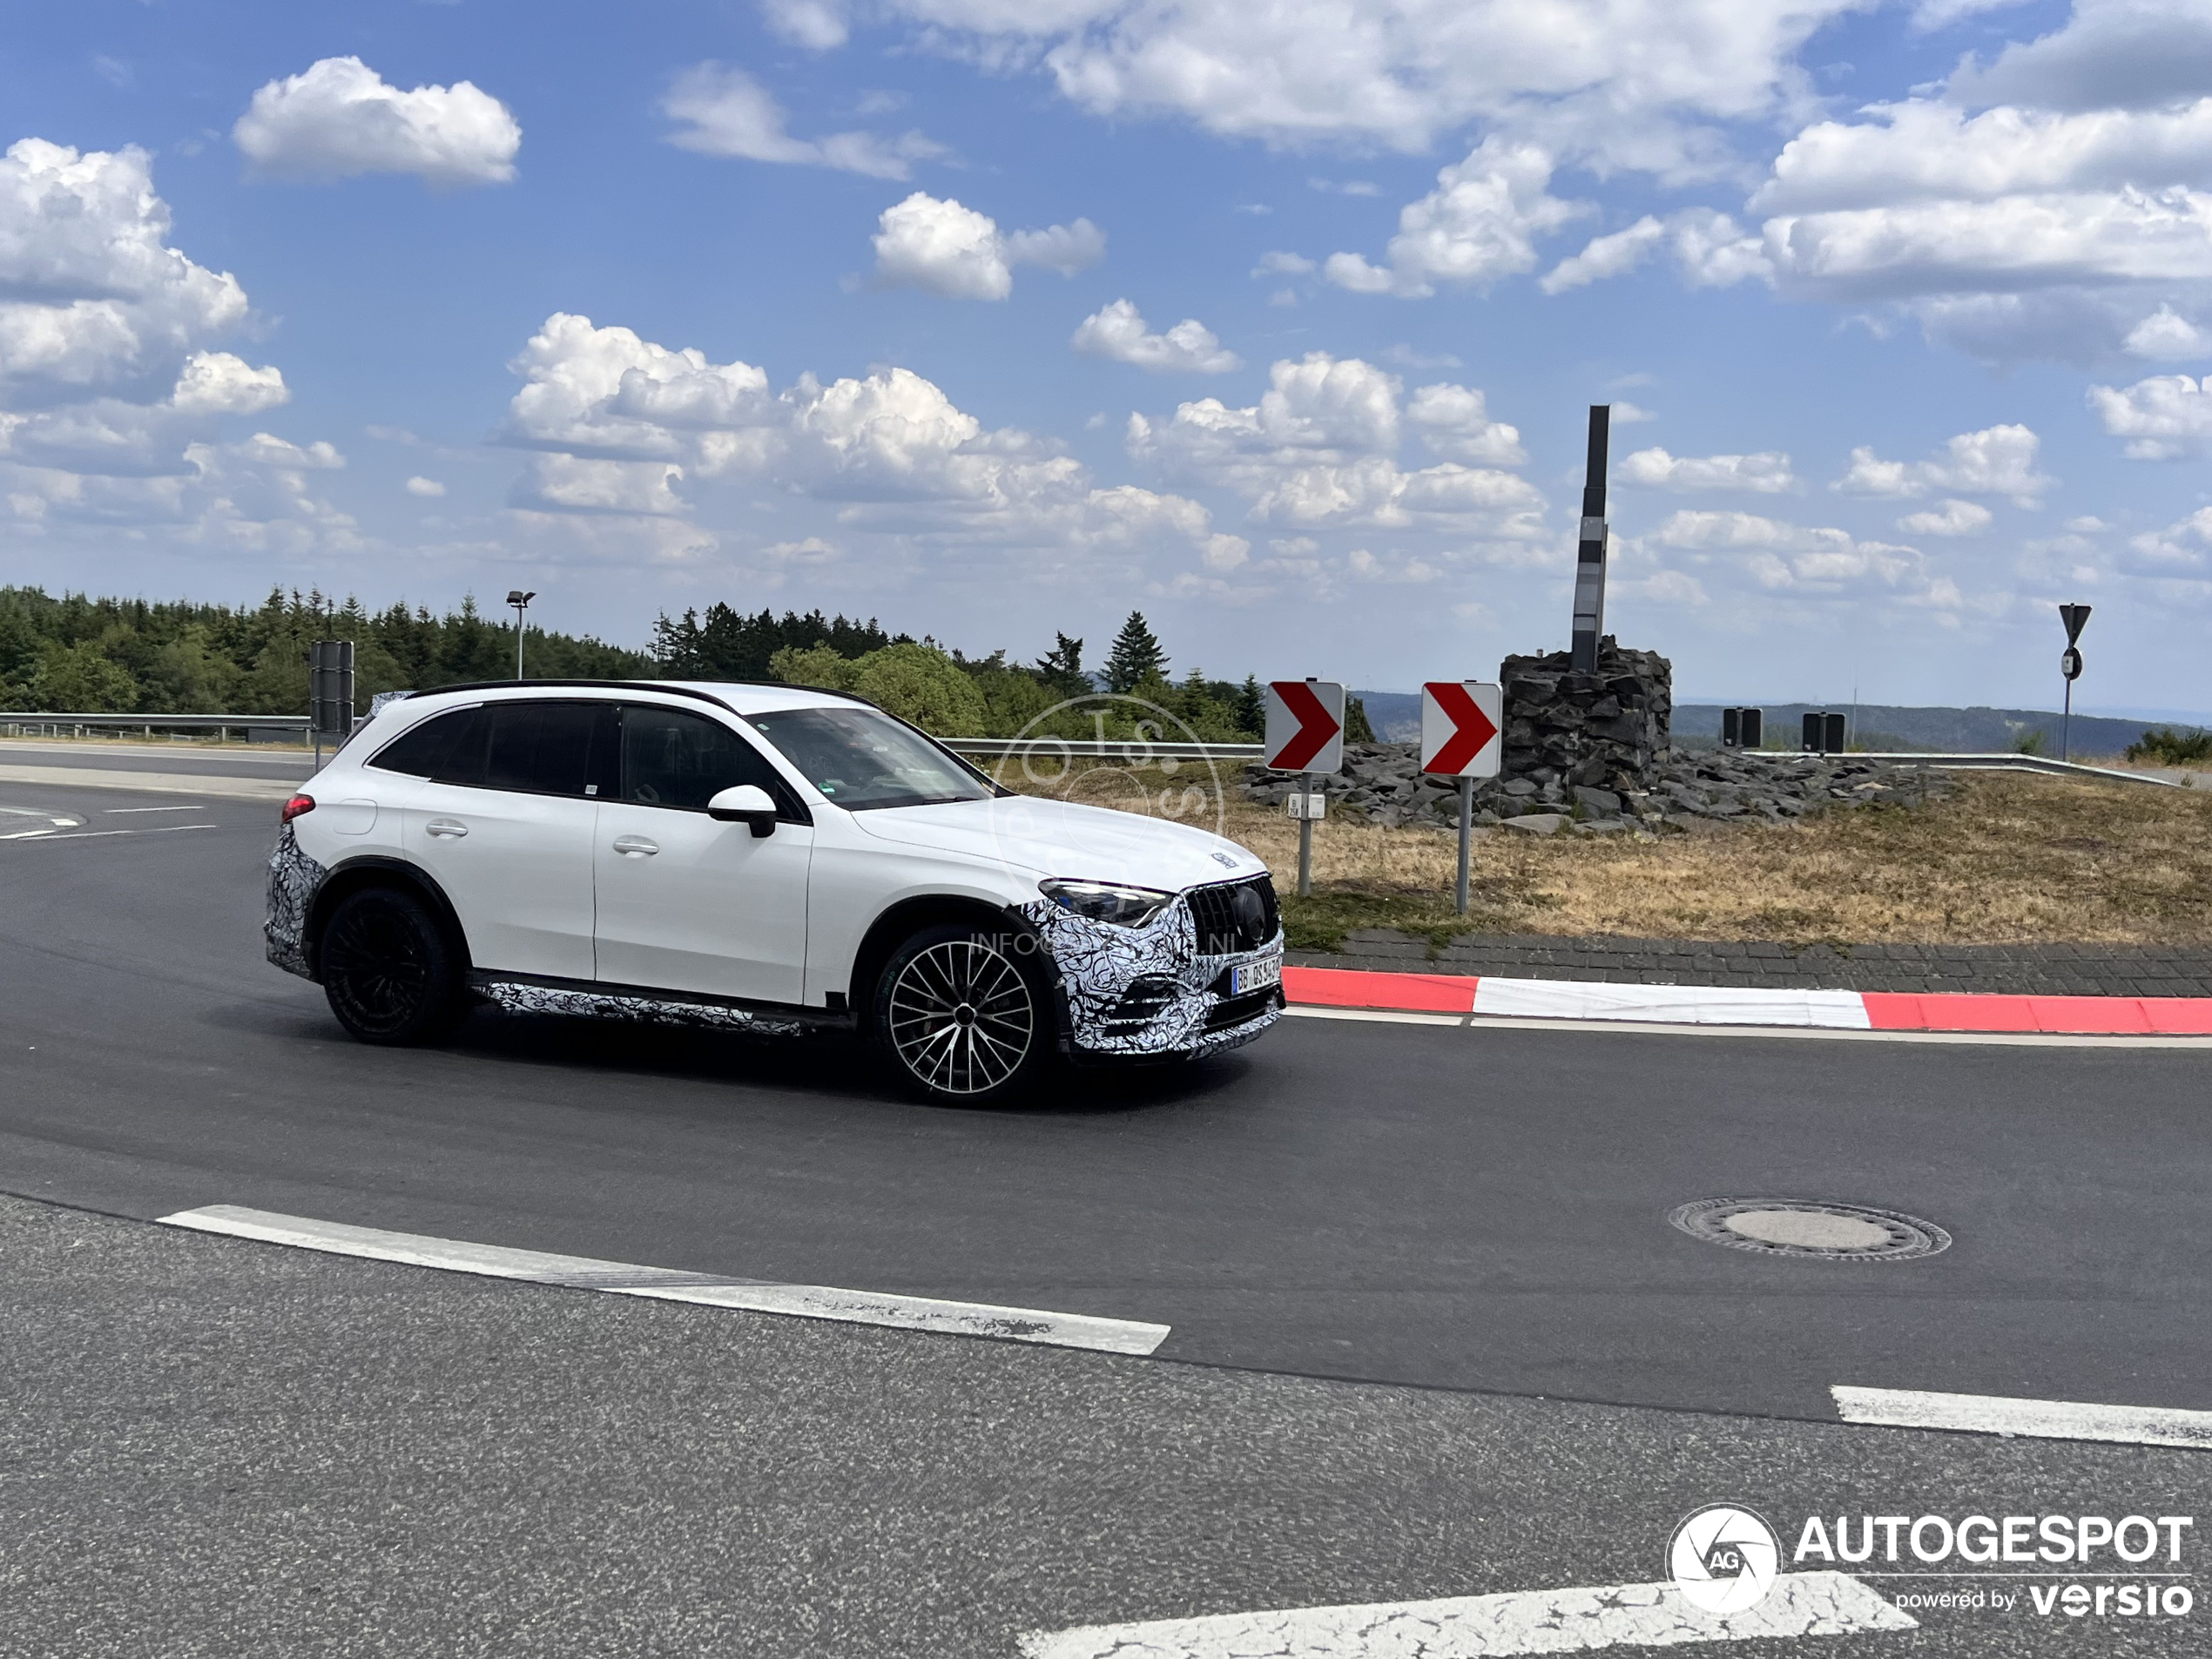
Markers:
(2007, 859)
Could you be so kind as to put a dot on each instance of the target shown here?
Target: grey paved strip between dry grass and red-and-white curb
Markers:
(2003, 970)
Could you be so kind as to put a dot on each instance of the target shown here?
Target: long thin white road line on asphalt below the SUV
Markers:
(678, 1286)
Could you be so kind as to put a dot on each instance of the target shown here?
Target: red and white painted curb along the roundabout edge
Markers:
(1695, 1005)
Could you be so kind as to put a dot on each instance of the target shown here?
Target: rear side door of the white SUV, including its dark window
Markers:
(505, 826)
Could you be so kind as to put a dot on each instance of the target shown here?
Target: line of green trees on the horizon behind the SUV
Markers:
(76, 654)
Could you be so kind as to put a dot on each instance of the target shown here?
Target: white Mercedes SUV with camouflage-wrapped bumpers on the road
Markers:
(766, 859)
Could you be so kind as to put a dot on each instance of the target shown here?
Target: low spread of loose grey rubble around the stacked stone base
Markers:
(1689, 791)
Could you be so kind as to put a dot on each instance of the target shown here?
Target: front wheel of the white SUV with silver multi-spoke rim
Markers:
(963, 1016)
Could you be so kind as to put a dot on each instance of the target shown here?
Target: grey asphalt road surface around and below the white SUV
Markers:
(244, 1443)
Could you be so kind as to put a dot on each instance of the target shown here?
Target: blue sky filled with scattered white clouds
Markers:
(1275, 322)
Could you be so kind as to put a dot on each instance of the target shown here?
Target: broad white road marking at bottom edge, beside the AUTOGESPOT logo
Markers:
(1479, 1627)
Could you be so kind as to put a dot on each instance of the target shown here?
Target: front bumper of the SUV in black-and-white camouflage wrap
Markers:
(1149, 992)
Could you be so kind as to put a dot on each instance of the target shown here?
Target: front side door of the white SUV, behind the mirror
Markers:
(689, 904)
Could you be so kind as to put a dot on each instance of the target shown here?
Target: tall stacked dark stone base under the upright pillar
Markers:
(1605, 731)
